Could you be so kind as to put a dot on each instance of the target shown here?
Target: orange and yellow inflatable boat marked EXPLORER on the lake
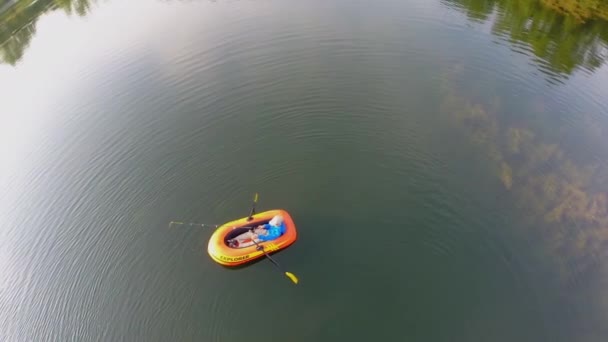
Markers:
(230, 255)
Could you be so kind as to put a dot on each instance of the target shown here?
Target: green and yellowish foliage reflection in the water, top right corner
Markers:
(563, 42)
